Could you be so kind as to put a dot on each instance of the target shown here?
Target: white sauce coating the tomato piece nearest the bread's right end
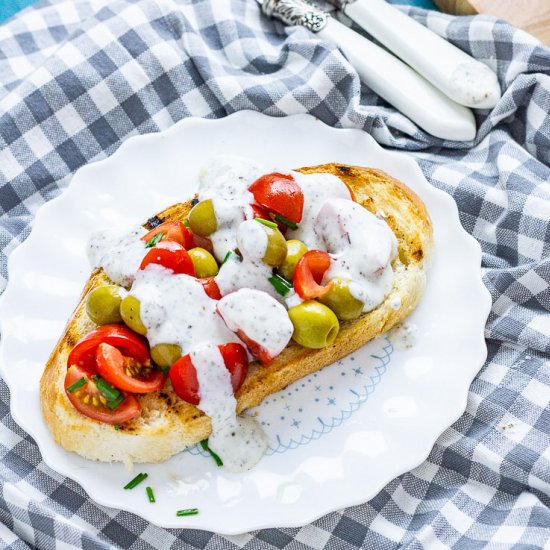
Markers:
(361, 246)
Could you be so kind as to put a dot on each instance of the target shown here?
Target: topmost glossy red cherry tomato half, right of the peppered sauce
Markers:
(279, 193)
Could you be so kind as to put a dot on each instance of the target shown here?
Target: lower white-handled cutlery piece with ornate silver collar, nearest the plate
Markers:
(386, 75)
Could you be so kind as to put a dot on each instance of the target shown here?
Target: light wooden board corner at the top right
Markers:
(532, 16)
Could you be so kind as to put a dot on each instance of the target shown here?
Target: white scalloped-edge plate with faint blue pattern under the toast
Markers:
(338, 436)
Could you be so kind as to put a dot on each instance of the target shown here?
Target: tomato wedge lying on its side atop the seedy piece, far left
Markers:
(125, 373)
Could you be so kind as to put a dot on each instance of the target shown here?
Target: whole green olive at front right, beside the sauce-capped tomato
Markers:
(315, 325)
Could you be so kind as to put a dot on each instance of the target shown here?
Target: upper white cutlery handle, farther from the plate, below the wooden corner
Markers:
(455, 73)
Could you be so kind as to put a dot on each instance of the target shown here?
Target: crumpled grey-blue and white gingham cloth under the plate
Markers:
(79, 77)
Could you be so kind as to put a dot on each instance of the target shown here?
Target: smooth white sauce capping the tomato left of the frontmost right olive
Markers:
(260, 317)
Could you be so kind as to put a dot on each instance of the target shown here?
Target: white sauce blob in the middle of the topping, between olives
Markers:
(251, 272)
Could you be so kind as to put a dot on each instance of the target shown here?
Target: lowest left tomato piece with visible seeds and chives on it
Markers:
(92, 403)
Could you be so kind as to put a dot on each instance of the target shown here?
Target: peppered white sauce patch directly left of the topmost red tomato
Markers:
(226, 183)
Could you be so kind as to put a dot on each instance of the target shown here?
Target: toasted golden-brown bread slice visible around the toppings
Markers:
(167, 424)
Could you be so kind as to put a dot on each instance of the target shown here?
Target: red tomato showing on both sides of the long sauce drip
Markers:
(184, 376)
